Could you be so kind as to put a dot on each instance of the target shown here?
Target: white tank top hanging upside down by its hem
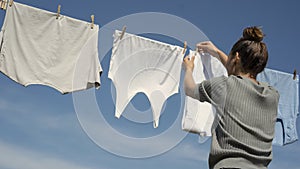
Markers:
(143, 65)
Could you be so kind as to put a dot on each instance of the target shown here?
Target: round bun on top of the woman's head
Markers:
(253, 34)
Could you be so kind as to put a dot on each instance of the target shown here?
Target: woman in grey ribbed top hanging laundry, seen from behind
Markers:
(247, 109)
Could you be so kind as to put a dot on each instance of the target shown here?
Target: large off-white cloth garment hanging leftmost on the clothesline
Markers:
(37, 48)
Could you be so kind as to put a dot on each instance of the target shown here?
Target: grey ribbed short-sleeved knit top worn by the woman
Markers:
(244, 128)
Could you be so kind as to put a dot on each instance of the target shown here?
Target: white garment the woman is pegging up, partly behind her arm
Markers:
(198, 117)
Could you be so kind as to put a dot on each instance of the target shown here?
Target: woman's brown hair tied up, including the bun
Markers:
(252, 51)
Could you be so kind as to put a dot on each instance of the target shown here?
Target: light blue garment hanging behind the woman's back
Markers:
(288, 108)
